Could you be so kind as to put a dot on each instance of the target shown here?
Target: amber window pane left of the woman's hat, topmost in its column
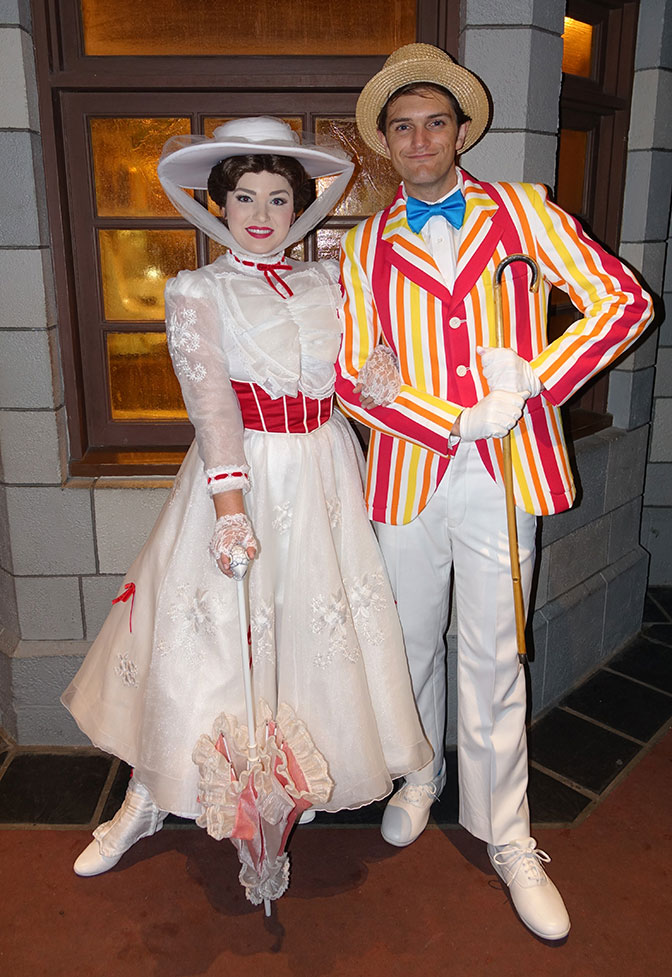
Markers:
(125, 156)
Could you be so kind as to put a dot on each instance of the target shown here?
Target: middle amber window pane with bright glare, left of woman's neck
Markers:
(135, 265)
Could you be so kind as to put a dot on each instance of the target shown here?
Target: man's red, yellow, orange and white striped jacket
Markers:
(396, 294)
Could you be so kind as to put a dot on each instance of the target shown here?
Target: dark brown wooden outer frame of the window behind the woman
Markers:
(63, 68)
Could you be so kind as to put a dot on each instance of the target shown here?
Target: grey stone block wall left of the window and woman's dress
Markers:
(64, 543)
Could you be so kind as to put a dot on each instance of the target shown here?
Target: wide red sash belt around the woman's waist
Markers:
(288, 415)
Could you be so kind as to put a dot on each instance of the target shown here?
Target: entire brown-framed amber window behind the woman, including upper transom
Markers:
(118, 79)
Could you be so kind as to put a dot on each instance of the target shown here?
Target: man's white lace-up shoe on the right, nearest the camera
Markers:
(536, 900)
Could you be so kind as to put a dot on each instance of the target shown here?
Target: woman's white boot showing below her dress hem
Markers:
(138, 817)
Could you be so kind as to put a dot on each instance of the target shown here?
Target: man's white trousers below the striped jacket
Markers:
(463, 527)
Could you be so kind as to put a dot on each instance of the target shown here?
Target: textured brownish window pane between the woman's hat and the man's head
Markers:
(375, 181)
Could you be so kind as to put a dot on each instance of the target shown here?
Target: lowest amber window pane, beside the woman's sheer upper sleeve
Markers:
(143, 386)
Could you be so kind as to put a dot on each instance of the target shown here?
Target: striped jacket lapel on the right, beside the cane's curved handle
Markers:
(481, 232)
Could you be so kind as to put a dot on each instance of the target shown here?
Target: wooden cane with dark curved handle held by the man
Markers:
(518, 602)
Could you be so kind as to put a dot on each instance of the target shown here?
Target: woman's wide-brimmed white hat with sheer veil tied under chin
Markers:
(186, 162)
